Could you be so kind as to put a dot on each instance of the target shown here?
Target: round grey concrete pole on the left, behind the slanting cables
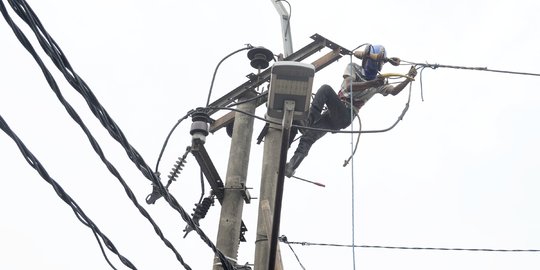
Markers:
(228, 238)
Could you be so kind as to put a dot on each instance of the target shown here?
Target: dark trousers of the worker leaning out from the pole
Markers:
(338, 116)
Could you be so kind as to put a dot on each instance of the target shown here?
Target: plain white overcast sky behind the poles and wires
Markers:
(461, 170)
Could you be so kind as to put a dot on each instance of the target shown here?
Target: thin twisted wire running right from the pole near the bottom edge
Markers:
(284, 240)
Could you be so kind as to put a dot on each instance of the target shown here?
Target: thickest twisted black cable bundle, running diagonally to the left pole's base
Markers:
(54, 52)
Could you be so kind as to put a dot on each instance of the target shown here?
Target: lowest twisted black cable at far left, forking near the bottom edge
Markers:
(79, 213)
